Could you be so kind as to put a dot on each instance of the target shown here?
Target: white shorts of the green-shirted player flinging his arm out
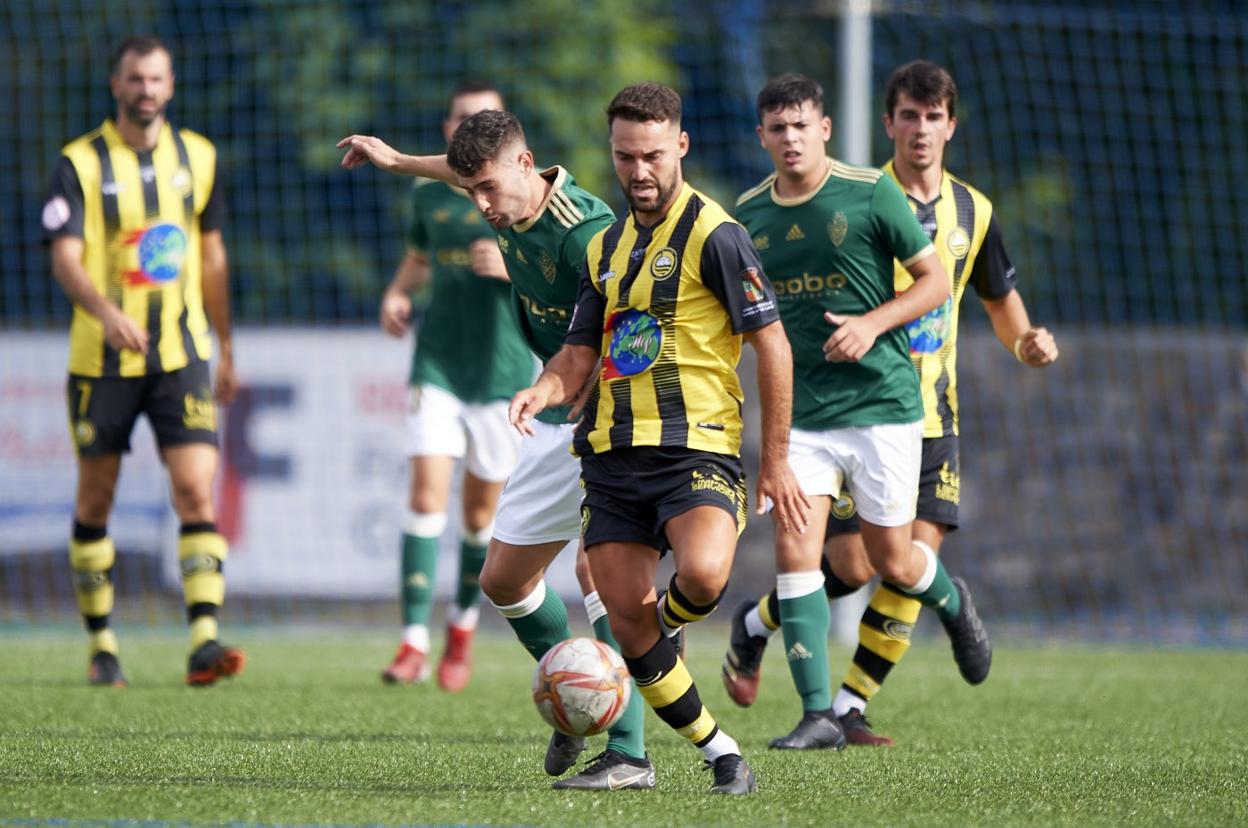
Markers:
(541, 503)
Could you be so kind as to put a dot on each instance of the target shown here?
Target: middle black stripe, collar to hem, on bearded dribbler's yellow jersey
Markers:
(670, 399)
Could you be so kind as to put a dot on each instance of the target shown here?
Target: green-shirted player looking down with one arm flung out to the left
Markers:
(545, 223)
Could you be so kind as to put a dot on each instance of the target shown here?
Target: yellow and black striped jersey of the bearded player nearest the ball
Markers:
(667, 308)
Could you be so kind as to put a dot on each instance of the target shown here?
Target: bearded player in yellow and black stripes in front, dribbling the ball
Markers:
(666, 299)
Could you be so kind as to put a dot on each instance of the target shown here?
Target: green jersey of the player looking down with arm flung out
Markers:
(546, 257)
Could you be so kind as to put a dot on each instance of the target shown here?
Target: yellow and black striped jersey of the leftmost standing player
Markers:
(140, 215)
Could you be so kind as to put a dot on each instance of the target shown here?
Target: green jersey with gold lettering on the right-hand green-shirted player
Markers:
(833, 252)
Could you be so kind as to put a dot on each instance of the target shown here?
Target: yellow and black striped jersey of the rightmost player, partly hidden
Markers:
(968, 238)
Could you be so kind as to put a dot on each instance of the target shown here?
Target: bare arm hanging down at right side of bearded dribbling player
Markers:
(776, 393)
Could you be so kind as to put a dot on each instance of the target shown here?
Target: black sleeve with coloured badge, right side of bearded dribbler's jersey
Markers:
(731, 269)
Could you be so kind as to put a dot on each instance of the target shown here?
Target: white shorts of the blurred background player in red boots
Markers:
(441, 425)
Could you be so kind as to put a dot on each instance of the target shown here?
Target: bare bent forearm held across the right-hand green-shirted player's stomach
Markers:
(856, 335)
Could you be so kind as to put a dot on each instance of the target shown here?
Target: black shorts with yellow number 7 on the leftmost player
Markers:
(179, 407)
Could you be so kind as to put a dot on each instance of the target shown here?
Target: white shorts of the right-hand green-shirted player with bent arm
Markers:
(878, 464)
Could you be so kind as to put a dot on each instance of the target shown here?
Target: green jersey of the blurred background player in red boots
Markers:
(470, 342)
